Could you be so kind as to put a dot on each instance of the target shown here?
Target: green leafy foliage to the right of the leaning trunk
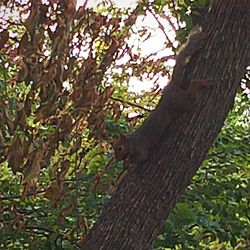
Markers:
(214, 213)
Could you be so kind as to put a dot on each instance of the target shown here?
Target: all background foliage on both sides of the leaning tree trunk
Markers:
(65, 79)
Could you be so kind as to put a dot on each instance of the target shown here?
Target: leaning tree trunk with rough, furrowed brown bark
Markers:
(134, 216)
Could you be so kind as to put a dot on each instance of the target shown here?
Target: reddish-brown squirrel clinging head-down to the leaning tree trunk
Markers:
(134, 148)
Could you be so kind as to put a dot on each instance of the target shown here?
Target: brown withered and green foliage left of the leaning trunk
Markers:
(64, 94)
